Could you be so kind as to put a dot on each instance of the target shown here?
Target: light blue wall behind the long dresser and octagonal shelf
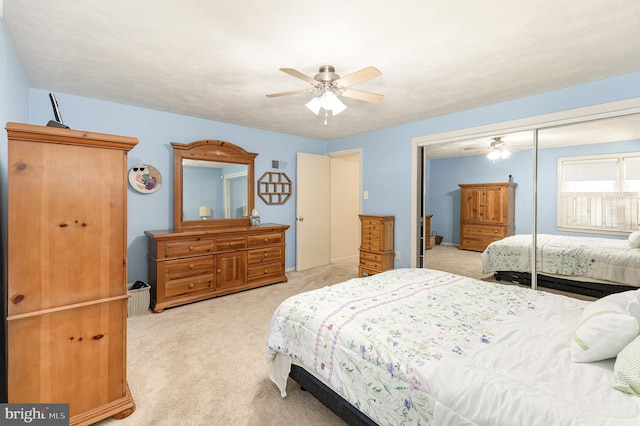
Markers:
(155, 131)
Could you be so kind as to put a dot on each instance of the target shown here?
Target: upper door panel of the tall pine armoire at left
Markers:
(73, 226)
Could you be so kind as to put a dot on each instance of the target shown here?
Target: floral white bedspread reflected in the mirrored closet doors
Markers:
(605, 259)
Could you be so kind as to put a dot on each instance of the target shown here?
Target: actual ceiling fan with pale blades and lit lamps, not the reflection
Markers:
(330, 87)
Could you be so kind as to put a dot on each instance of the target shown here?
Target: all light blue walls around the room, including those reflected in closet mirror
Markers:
(386, 162)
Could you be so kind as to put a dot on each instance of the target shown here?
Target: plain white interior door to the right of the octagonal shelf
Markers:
(312, 211)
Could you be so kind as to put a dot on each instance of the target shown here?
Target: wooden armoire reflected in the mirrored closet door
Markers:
(486, 214)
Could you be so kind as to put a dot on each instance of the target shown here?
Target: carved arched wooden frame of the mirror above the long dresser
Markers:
(215, 151)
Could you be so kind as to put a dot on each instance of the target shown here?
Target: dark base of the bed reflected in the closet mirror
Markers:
(579, 287)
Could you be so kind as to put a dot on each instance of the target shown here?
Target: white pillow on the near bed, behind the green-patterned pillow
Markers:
(606, 327)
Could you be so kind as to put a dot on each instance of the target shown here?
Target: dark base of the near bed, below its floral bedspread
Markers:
(347, 412)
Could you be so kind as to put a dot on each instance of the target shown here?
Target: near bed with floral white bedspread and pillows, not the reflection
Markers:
(425, 347)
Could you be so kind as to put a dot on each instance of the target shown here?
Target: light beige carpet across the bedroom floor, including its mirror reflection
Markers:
(203, 363)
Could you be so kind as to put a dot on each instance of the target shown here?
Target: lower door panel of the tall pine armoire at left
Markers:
(65, 359)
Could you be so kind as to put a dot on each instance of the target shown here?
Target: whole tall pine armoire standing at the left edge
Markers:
(67, 270)
